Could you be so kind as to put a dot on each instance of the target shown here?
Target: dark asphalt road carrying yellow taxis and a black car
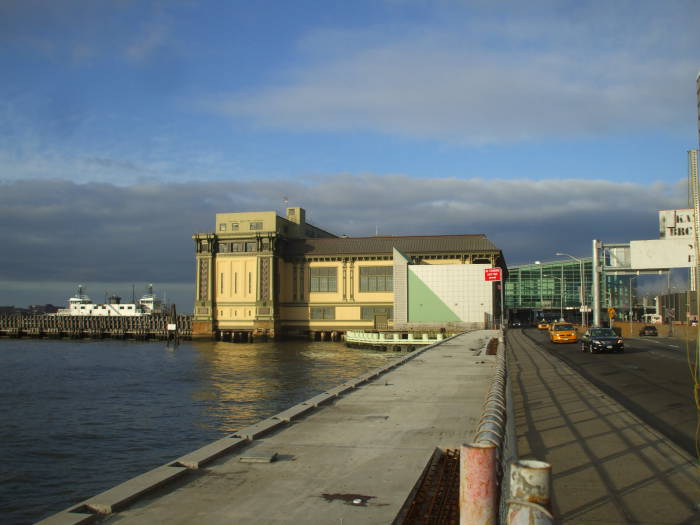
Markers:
(652, 378)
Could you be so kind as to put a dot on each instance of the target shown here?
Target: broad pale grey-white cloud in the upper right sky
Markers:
(522, 79)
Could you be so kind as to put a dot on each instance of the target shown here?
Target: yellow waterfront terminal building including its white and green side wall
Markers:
(261, 274)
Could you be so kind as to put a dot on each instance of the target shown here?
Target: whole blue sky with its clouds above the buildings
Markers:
(125, 125)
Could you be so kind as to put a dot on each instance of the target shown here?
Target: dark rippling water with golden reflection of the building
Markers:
(78, 417)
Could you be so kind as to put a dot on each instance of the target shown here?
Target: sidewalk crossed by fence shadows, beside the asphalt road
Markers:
(607, 466)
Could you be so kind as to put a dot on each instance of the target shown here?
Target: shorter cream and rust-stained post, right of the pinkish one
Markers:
(530, 484)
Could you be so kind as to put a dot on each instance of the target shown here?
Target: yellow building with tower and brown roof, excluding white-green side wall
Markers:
(259, 273)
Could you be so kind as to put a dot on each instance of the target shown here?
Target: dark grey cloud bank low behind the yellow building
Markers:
(62, 231)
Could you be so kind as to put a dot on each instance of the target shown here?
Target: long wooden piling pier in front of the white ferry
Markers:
(154, 326)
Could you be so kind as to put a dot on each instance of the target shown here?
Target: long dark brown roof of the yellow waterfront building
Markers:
(421, 244)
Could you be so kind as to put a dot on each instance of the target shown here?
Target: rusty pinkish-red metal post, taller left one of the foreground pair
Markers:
(477, 484)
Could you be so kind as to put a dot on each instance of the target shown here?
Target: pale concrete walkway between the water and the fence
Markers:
(371, 444)
